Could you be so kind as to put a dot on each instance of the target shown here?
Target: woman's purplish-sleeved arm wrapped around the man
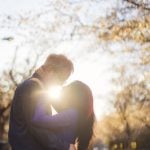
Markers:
(63, 119)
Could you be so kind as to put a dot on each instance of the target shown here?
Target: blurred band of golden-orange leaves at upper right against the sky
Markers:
(137, 30)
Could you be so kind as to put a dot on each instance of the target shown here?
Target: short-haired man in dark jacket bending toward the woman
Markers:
(23, 135)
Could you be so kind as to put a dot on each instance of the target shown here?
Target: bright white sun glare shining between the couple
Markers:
(54, 92)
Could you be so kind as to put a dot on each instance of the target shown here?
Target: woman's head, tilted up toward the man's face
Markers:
(78, 95)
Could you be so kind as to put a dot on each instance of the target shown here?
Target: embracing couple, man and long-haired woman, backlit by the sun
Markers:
(32, 125)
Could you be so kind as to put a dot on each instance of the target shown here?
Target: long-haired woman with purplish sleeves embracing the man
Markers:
(75, 122)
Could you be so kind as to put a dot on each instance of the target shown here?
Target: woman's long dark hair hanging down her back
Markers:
(79, 96)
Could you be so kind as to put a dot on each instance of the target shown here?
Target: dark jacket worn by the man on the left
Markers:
(23, 135)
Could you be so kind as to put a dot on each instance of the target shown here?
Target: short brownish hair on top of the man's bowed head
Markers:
(57, 63)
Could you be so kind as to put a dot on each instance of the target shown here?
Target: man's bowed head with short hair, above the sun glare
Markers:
(56, 69)
